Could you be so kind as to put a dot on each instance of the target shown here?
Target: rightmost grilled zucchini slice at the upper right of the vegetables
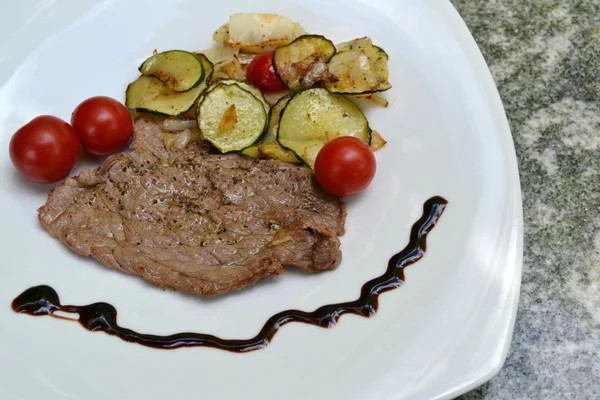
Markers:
(360, 70)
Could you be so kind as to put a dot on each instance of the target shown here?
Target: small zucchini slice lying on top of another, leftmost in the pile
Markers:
(178, 69)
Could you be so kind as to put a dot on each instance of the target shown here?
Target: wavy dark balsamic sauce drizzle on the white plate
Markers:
(43, 300)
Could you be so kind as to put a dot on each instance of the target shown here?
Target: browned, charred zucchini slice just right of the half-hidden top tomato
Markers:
(303, 62)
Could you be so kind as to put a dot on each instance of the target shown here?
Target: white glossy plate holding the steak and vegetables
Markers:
(445, 331)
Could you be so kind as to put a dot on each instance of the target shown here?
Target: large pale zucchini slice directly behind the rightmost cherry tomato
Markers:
(313, 117)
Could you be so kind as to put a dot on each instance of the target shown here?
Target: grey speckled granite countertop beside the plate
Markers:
(545, 58)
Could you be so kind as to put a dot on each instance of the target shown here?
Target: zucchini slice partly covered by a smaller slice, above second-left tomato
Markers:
(148, 94)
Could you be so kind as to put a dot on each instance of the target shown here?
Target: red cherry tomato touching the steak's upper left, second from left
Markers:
(103, 125)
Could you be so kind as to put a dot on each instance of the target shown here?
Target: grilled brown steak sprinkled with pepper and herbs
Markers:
(195, 221)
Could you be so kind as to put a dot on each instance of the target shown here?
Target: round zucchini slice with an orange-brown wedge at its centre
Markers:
(231, 118)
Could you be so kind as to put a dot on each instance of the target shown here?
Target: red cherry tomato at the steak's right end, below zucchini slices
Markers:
(345, 166)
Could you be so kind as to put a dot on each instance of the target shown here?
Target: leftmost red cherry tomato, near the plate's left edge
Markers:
(45, 150)
